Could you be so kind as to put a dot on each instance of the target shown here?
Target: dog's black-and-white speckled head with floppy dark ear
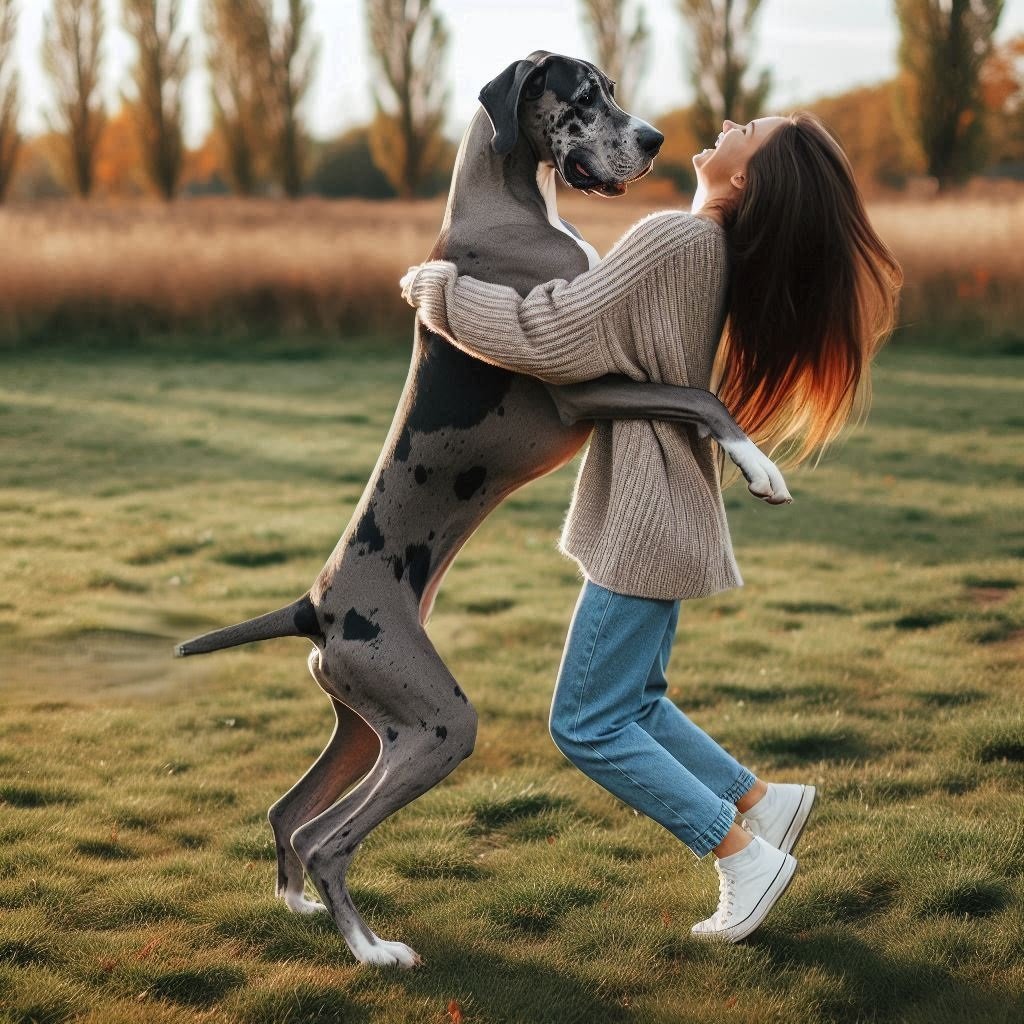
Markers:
(567, 109)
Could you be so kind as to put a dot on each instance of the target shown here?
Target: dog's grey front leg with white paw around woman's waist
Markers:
(615, 398)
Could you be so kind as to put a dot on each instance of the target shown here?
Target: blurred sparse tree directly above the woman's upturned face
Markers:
(723, 40)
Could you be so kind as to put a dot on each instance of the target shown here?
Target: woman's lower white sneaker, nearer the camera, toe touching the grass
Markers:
(750, 884)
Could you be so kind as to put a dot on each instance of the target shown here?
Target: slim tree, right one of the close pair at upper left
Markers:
(293, 59)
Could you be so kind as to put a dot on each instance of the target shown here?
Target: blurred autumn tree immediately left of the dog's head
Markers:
(408, 41)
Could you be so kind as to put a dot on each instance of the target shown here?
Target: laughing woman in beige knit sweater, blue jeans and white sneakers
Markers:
(778, 248)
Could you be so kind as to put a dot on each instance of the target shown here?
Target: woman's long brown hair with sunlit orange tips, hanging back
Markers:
(813, 297)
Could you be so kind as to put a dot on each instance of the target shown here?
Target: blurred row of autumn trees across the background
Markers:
(955, 110)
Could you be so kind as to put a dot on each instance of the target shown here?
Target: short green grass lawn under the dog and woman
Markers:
(876, 652)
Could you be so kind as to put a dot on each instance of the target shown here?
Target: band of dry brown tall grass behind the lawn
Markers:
(131, 269)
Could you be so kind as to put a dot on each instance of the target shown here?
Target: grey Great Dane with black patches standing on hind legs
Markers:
(465, 436)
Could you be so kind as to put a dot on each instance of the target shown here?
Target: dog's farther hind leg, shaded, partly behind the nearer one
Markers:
(351, 753)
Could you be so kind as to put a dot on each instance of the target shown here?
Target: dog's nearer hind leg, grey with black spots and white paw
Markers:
(429, 727)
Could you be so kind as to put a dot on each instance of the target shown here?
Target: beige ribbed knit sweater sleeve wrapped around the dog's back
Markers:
(560, 332)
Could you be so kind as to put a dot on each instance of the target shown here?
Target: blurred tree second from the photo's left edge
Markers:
(73, 35)
